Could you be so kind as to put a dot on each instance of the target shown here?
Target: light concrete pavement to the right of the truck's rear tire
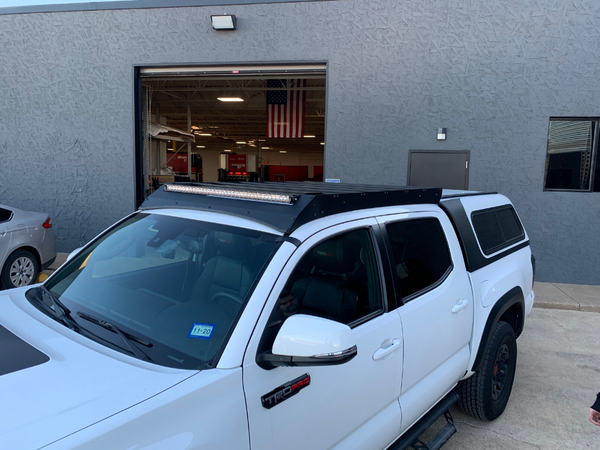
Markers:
(558, 376)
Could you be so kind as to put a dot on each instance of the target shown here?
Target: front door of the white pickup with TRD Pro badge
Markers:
(335, 274)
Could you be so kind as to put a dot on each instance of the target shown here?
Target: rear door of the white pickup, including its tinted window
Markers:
(437, 314)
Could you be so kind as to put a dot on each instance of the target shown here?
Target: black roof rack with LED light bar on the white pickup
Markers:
(286, 206)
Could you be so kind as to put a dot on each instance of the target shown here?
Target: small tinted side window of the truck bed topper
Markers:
(497, 228)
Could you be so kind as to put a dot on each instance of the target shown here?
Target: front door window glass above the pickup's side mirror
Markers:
(337, 280)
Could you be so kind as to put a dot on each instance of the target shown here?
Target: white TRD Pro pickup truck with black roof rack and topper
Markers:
(271, 316)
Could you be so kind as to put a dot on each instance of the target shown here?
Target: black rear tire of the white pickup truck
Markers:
(486, 393)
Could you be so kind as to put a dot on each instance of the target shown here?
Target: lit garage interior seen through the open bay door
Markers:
(210, 124)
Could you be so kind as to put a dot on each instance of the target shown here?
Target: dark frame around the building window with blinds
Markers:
(593, 184)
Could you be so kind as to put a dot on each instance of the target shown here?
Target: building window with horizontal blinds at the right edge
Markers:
(572, 158)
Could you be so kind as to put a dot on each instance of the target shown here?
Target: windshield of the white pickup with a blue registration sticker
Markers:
(169, 286)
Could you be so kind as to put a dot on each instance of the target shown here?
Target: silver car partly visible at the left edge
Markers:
(27, 246)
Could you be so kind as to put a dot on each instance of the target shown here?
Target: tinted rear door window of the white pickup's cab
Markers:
(420, 253)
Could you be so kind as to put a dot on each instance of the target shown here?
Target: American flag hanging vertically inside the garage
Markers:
(286, 109)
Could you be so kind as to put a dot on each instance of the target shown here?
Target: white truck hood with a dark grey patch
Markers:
(55, 382)
